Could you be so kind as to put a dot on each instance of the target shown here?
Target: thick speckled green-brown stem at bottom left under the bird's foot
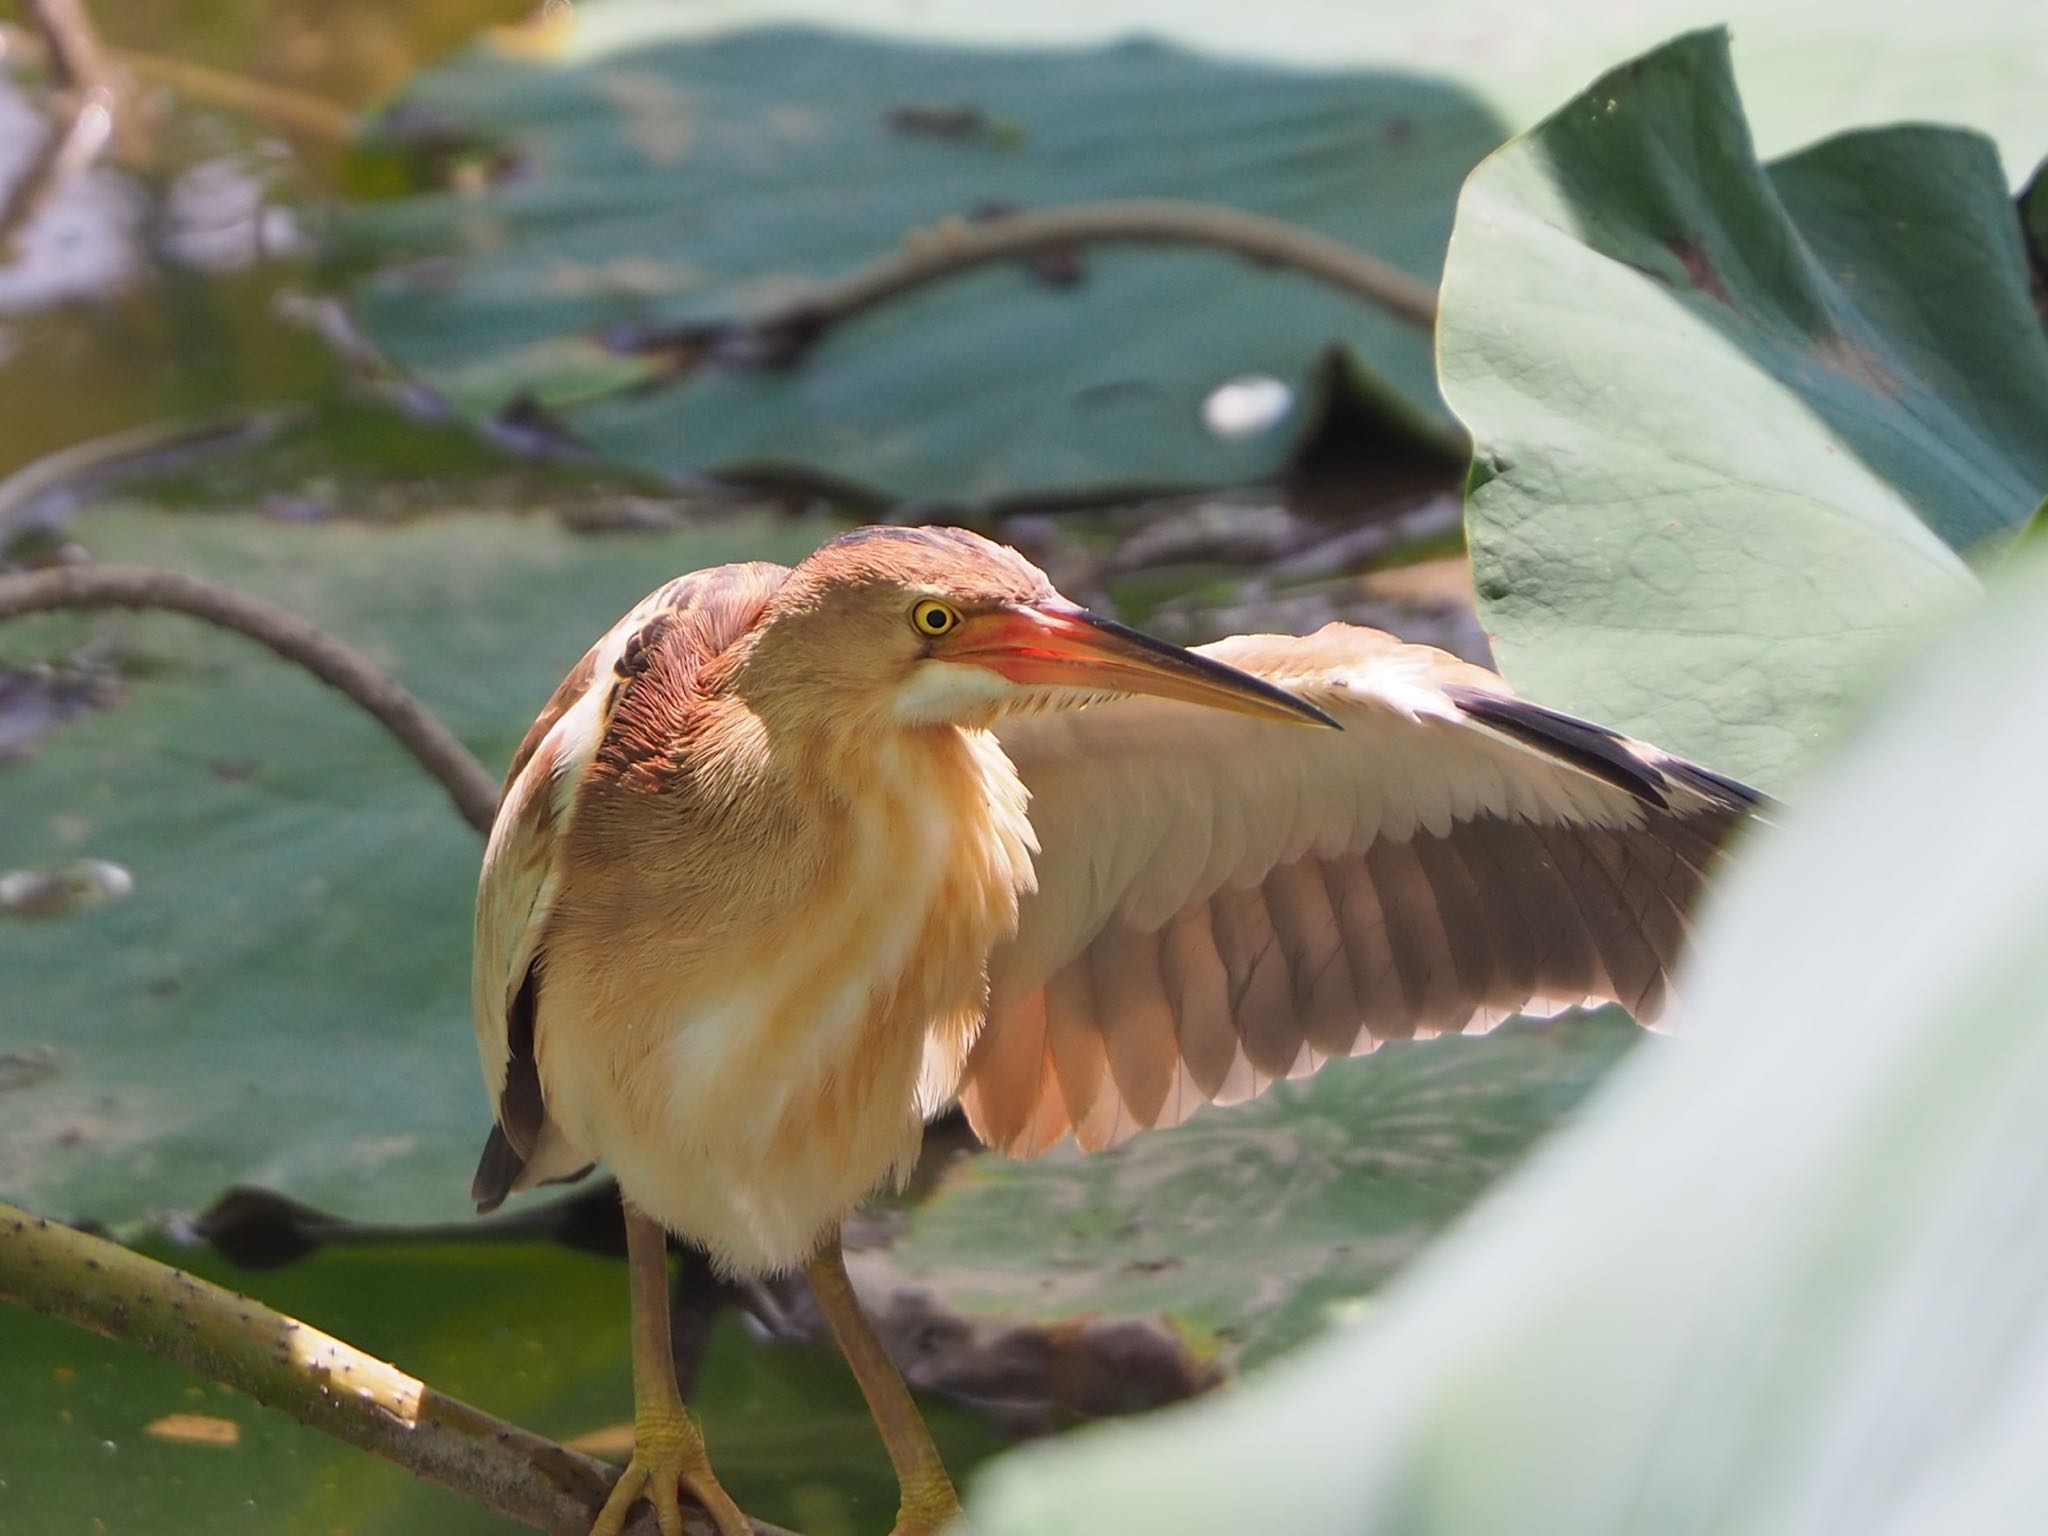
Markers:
(308, 1375)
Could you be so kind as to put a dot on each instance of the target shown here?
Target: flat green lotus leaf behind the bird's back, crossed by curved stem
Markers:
(286, 996)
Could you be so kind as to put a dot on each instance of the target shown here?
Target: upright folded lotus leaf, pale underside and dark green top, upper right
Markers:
(1738, 427)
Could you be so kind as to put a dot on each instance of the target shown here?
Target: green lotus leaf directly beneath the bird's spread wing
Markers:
(1250, 1228)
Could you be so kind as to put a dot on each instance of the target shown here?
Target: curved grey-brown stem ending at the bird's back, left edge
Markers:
(337, 665)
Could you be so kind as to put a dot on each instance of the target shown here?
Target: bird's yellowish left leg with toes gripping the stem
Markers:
(669, 1449)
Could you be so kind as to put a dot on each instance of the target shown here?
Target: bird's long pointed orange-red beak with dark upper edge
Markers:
(1074, 648)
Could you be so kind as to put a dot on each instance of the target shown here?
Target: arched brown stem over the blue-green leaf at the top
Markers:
(959, 247)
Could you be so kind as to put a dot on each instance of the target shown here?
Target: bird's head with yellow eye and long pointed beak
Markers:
(947, 628)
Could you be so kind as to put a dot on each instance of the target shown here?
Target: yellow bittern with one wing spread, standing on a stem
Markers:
(796, 859)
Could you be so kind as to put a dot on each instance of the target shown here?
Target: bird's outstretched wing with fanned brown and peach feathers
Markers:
(1226, 902)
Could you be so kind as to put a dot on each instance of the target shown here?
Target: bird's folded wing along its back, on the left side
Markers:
(523, 857)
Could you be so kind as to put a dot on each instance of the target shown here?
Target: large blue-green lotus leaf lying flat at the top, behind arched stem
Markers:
(667, 181)
